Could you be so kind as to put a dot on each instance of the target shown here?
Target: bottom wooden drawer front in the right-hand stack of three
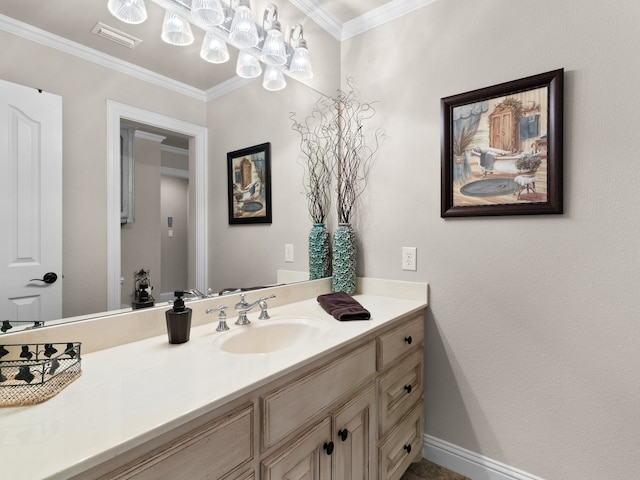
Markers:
(402, 446)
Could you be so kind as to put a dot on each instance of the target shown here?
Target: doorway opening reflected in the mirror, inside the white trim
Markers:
(154, 235)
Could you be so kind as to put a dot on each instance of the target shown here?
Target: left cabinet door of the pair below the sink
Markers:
(305, 458)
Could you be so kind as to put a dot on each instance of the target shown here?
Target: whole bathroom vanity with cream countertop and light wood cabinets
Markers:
(317, 399)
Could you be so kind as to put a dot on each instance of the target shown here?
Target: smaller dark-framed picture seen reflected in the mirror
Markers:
(249, 184)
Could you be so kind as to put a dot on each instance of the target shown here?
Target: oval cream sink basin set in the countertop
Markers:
(268, 336)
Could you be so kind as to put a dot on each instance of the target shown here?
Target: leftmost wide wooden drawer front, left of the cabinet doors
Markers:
(209, 452)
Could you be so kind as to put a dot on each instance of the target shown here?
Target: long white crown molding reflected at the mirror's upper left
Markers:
(48, 39)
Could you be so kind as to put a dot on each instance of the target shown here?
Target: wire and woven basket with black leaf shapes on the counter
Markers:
(33, 373)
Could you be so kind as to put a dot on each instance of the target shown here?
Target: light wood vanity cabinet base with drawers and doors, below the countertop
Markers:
(355, 414)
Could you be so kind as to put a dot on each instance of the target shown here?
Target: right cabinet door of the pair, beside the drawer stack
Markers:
(354, 438)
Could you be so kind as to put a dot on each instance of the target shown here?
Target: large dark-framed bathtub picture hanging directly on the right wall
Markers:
(501, 149)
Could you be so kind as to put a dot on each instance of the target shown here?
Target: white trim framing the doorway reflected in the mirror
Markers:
(116, 112)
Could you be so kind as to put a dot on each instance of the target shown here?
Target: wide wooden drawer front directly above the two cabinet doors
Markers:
(287, 408)
